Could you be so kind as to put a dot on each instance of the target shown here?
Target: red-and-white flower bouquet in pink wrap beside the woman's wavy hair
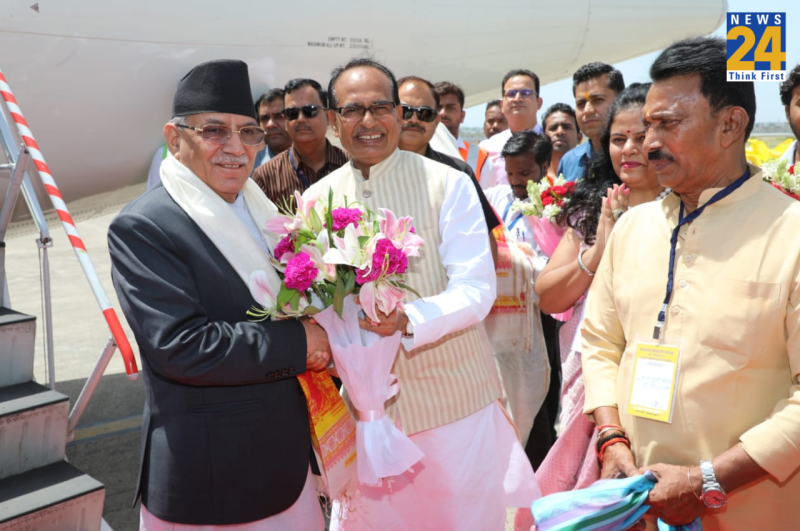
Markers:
(546, 200)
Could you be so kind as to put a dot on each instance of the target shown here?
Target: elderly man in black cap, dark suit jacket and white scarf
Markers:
(225, 438)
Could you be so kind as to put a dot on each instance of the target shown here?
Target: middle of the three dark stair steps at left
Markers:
(33, 428)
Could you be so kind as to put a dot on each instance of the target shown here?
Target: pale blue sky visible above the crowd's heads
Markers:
(768, 104)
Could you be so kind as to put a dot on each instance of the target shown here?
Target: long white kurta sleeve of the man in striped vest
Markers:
(467, 257)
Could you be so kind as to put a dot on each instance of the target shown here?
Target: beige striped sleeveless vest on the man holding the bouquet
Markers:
(450, 379)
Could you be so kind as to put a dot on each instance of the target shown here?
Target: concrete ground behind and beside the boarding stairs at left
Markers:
(107, 441)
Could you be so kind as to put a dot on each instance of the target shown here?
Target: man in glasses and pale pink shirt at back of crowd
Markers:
(520, 103)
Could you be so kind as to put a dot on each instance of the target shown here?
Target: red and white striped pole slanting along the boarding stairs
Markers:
(72, 232)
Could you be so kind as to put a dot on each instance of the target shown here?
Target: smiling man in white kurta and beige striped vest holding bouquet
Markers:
(474, 466)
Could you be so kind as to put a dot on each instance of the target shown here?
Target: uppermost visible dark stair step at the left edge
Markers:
(17, 336)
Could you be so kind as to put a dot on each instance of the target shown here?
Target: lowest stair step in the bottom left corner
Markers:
(57, 497)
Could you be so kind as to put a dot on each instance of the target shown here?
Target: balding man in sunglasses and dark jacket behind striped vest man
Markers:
(418, 101)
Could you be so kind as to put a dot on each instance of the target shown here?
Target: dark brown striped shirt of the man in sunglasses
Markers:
(282, 175)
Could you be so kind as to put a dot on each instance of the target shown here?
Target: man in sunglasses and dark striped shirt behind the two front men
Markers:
(311, 156)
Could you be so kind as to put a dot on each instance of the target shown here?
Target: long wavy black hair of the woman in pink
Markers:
(582, 213)
